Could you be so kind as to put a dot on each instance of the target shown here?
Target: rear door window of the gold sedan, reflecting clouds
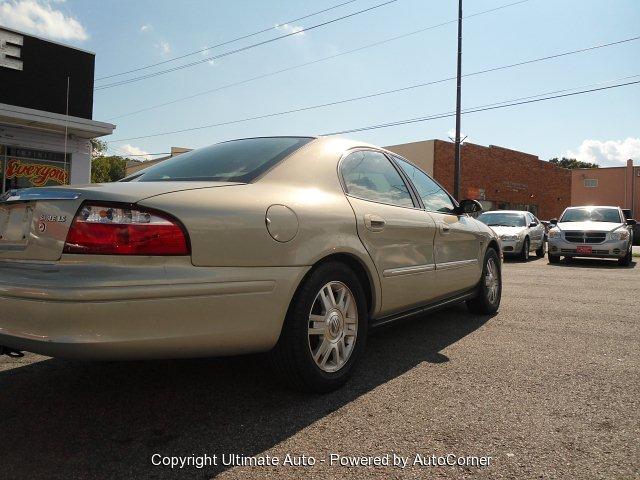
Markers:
(371, 176)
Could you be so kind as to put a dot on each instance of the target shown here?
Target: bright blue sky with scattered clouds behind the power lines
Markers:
(604, 126)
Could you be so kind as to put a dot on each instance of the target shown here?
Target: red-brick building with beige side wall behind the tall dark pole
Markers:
(498, 177)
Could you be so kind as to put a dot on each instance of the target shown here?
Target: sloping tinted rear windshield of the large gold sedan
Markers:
(234, 161)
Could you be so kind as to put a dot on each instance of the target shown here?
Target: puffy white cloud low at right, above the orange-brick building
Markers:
(608, 153)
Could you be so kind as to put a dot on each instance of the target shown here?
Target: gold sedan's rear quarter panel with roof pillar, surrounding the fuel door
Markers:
(227, 227)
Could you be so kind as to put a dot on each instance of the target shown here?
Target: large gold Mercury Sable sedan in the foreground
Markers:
(292, 245)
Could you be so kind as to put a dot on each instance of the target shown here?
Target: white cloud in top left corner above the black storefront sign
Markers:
(41, 18)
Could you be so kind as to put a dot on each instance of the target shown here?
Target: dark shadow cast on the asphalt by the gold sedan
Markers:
(64, 419)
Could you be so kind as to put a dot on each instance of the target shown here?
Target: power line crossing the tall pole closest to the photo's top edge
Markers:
(330, 57)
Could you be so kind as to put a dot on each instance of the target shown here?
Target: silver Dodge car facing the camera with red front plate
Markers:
(592, 231)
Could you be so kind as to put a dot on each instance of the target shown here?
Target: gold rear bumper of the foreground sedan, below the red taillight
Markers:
(142, 308)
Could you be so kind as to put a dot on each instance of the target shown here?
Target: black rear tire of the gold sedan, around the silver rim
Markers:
(292, 359)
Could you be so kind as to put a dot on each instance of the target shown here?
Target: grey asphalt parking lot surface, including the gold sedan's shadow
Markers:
(548, 387)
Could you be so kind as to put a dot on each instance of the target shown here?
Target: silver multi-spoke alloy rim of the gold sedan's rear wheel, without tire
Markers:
(333, 326)
